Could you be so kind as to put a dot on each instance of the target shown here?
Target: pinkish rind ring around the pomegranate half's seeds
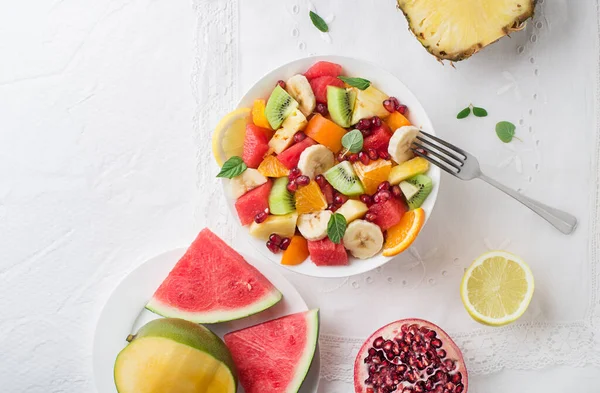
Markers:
(391, 330)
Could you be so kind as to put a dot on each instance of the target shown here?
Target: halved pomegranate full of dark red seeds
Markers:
(410, 356)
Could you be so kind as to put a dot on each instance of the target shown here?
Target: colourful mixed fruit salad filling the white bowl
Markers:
(326, 169)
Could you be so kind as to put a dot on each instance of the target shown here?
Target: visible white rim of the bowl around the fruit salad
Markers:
(385, 82)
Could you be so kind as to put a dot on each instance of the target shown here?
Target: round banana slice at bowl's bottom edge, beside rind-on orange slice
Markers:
(363, 239)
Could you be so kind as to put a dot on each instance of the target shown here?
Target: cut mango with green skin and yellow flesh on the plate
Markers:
(175, 355)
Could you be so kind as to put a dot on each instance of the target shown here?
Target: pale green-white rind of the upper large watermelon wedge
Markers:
(215, 316)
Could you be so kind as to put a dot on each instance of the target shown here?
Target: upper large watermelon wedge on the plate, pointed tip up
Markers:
(212, 283)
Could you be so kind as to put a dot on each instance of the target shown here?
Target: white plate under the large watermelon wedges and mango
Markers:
(124, 313)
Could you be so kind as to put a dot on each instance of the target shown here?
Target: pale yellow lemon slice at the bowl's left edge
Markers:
(228, 137)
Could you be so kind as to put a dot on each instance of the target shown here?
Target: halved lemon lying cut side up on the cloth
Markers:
(497, 288)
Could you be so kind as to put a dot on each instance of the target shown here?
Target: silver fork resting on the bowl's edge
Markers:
(465, 166)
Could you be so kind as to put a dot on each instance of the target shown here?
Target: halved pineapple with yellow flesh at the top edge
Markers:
(456, 29)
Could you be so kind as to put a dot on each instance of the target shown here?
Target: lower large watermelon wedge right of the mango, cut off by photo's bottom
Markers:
(274, 357)
